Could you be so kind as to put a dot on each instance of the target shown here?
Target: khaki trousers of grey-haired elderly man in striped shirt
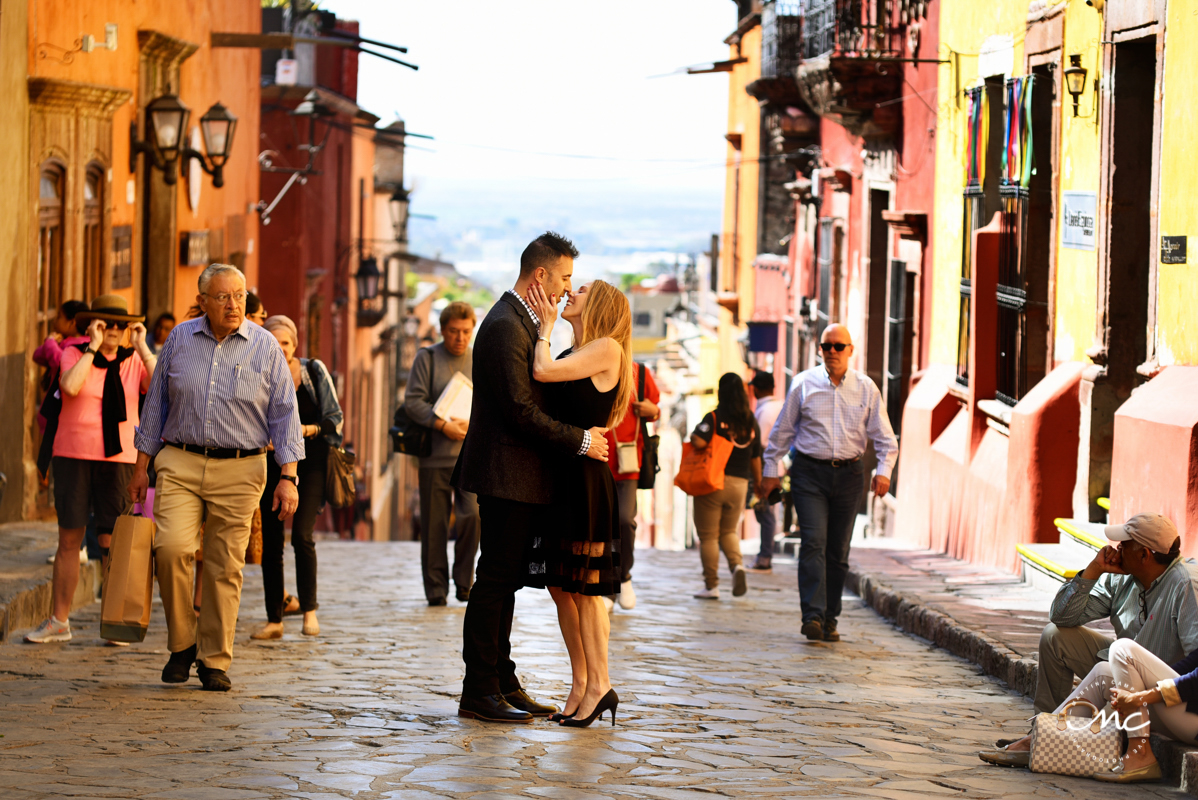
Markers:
(228, 490)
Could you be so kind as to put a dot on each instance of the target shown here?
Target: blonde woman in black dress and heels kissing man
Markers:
(579, 557)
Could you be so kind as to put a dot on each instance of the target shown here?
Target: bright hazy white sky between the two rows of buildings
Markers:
(571, 78)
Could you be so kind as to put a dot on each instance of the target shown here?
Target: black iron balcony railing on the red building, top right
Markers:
(856, 28)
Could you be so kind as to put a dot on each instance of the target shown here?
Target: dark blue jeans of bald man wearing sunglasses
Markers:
(826, 501)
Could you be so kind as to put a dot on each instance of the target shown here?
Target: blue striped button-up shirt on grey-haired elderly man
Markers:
(237, 393)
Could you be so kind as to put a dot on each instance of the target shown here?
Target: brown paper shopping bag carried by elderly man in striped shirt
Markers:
(129, 580)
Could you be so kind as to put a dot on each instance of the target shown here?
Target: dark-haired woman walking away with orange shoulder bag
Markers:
(718, 513)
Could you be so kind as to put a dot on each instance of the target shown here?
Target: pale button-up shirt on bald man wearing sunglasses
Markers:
(828, 422)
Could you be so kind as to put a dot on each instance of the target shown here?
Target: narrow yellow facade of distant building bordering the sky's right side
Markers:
(745, 118)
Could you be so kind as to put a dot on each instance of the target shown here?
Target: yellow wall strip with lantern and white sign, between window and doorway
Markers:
(1078, 271)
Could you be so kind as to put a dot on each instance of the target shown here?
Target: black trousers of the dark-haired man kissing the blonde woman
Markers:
(503, 572)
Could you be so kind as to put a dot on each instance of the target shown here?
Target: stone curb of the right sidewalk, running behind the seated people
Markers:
(1178, 762)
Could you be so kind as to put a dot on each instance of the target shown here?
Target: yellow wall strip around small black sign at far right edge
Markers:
(1177, 332)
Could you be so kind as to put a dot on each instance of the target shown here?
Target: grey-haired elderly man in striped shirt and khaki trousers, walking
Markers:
(222, 392)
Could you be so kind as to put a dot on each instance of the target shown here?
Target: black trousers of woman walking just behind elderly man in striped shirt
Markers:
(312, 501)
